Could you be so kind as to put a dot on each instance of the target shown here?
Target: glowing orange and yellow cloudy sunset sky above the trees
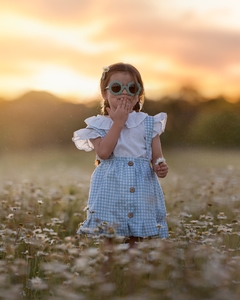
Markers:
(60, 46)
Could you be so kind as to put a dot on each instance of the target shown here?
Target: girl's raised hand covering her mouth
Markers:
(120, 114)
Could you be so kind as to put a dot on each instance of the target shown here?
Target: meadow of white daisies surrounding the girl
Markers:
(42, 197)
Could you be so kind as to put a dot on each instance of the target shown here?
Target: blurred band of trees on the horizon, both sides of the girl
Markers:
(39, 119)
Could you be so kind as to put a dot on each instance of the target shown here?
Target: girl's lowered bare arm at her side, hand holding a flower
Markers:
(162, 169)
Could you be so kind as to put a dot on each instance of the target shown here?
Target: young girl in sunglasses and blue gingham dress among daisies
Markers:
(125, 196)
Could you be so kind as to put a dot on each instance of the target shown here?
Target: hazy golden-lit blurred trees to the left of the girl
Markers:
(39, 119)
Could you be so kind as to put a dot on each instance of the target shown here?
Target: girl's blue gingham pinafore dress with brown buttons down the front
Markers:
(125, 196)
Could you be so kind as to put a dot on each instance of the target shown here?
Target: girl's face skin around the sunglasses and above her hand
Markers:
(125, 78)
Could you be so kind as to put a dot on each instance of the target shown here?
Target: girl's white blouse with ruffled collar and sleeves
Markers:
(131, 142)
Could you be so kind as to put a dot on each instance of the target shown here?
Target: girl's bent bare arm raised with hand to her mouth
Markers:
(105, 146)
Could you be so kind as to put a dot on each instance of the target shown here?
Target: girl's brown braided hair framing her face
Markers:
(121, 67)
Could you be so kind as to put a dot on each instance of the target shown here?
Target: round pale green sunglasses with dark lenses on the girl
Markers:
(116, 88)
